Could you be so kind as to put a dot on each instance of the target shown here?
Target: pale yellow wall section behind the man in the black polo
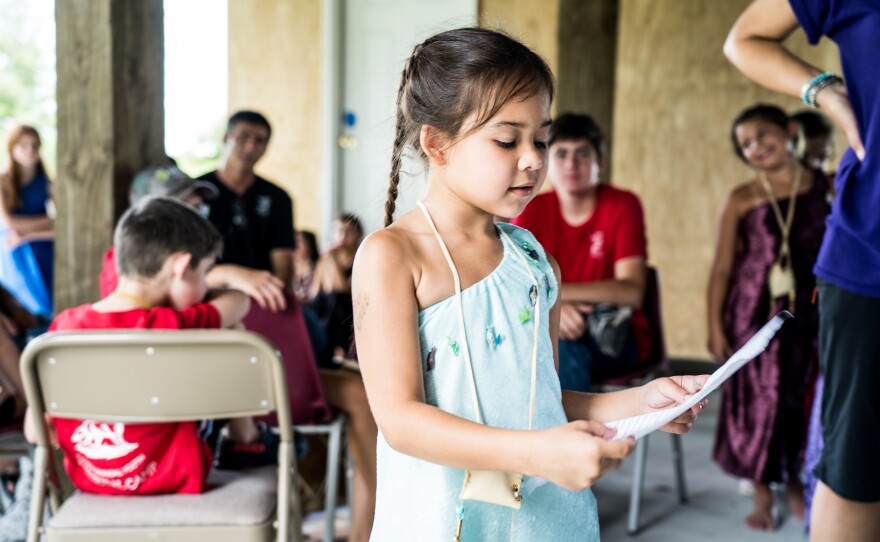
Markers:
(275, 67)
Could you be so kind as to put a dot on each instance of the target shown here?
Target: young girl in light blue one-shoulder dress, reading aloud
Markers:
(456, 321)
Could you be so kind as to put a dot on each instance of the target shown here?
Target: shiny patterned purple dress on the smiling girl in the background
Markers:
(762, 425)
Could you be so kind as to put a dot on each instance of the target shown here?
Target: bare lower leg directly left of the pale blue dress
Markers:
(345, 391)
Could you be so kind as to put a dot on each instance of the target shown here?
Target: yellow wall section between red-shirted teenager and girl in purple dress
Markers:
(676, 96)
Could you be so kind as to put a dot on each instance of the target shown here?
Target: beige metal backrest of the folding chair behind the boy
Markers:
(153, 376)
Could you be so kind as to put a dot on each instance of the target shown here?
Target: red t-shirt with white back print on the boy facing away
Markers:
(135, 459)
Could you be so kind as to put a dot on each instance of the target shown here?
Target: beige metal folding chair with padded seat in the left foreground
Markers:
(168, 376)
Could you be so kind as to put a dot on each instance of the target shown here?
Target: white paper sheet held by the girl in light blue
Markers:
(639, 426)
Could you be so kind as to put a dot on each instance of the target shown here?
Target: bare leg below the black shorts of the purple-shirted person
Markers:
(834, 518)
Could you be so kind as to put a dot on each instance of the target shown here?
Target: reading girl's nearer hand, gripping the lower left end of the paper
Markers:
(577, 454)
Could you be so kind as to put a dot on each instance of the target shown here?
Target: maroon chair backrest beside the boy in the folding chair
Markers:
(287, 330)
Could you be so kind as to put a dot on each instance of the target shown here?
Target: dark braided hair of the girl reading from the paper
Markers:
(454, 75)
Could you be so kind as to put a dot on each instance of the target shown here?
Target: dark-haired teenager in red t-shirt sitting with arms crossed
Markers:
(597, 234)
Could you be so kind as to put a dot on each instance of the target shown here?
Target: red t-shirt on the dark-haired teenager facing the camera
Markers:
(587, 252)
